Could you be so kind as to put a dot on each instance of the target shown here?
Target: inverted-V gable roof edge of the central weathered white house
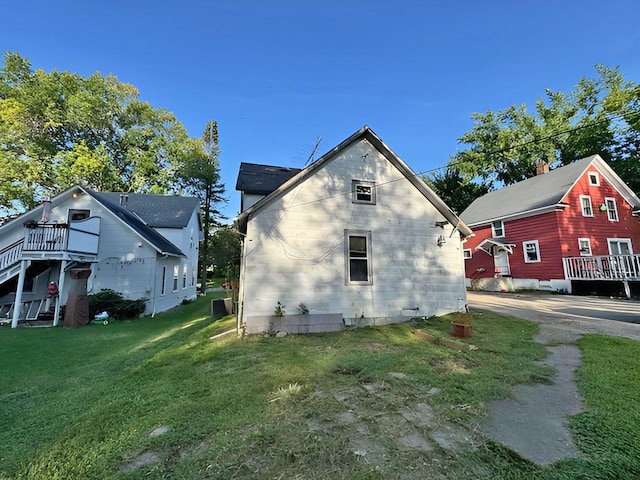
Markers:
(368, 134)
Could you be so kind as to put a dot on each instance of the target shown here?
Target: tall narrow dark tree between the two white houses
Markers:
(200, 175)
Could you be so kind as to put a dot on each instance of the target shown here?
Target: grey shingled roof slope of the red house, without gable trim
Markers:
(534, 193)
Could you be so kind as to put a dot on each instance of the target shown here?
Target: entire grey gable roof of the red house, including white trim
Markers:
(540, 193)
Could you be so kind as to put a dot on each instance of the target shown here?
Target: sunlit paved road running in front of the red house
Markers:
(569, 315)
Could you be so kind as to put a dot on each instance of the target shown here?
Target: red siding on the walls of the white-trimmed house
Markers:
(557, 233)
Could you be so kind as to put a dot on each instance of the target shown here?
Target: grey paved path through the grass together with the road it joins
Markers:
(535, 422)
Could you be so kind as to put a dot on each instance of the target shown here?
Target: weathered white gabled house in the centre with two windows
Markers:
(356, 238)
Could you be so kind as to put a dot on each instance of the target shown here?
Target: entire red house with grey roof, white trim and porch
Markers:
(572, 229)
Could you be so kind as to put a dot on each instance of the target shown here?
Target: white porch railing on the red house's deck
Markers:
(602, 267)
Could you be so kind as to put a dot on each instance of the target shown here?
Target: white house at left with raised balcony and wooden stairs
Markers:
(143, 246)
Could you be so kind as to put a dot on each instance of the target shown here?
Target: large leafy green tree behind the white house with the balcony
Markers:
(59, 128)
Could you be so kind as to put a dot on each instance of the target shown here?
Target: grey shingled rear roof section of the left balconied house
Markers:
(158, 211)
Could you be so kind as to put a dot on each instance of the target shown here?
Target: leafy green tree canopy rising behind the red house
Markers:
(599, 115)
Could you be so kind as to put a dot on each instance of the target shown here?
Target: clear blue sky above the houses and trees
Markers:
(277, 75)
